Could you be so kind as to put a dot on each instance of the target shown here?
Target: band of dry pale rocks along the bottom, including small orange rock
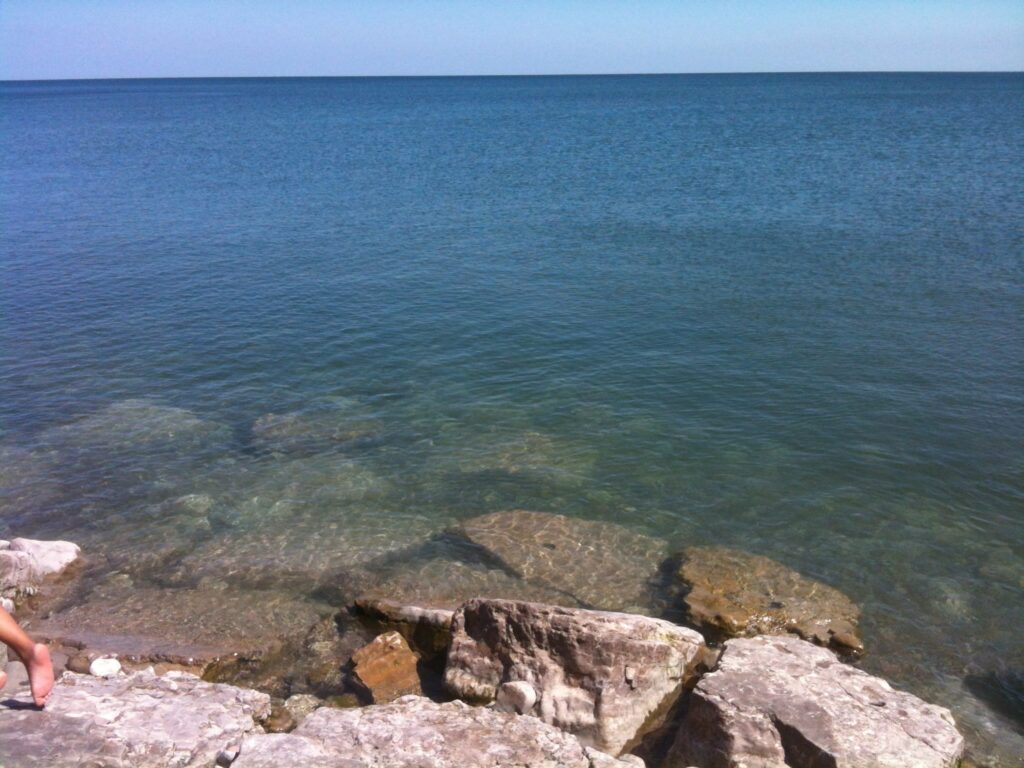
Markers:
(564, 687)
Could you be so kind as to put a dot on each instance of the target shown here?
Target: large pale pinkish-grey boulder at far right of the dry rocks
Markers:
(777, 702)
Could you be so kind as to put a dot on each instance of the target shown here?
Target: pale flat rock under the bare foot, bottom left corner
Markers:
(136, 721)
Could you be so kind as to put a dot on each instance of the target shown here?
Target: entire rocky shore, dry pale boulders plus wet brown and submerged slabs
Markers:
(752, 666)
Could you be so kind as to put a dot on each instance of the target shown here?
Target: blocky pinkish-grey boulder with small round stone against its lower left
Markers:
(608, 678)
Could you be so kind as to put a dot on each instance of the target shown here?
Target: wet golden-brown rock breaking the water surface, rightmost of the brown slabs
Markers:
(737, 594)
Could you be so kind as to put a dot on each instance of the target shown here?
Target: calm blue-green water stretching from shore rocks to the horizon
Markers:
(784, 314)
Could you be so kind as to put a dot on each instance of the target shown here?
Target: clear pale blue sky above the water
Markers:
(57, 39)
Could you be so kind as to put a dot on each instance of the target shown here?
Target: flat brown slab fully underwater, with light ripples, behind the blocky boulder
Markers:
(599, 565)
